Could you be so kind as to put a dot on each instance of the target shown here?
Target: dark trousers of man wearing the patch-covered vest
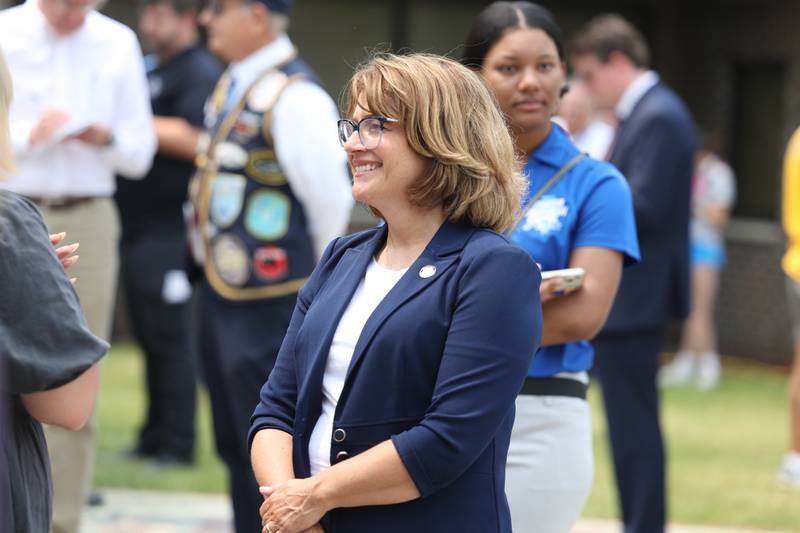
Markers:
(239, 342)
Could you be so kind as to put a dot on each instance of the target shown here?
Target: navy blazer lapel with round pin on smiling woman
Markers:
(429, 266)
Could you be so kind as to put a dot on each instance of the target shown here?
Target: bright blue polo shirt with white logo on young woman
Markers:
(590, 205)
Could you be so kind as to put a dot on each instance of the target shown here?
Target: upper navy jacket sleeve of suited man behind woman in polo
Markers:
(663, 154)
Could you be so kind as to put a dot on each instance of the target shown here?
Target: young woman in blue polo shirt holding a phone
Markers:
(578, 213)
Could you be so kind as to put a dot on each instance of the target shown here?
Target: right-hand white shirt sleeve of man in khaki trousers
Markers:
(131, 153)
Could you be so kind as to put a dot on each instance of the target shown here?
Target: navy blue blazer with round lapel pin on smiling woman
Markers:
(436, 369)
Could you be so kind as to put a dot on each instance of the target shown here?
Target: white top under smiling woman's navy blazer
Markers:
(377, 283)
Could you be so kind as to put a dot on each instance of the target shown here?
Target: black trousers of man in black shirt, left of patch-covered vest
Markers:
(163, 331)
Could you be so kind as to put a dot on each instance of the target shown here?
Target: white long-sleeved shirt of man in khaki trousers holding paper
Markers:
(96, 75)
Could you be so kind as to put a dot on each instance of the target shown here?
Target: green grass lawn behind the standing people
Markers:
(724, 448)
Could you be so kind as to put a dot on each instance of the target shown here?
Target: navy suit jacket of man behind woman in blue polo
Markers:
(654, 149)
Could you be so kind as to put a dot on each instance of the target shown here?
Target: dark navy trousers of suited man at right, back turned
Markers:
(627, 364)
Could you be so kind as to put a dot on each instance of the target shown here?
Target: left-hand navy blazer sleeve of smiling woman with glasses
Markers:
(278, 398)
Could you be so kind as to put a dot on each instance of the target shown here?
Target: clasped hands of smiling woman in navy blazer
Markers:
(291, 507)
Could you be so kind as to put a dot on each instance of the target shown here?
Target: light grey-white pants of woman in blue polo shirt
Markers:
(550, 463)
